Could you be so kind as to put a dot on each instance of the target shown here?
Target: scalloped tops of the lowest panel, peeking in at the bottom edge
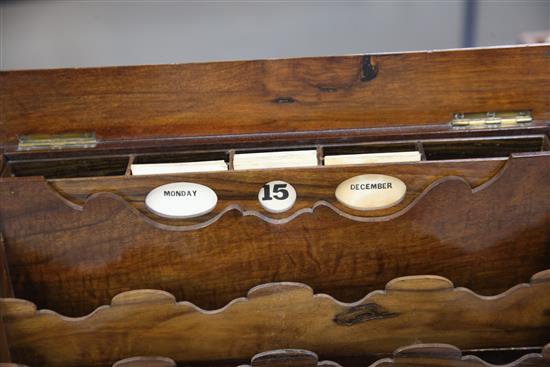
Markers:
(304, 358)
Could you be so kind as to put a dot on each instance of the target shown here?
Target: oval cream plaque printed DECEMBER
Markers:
(371, 192)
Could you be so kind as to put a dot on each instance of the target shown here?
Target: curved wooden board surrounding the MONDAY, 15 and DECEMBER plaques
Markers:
(421, 179)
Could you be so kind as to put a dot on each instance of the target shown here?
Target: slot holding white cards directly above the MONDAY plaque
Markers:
(167, 163)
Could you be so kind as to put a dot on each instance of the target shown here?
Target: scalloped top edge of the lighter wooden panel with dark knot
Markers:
(20, 308)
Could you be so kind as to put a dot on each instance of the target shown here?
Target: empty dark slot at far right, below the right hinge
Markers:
(481, 148)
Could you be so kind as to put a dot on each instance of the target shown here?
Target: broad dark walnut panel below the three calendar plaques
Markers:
(72, 259)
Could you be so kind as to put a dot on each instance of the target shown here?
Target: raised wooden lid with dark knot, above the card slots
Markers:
(274, 96)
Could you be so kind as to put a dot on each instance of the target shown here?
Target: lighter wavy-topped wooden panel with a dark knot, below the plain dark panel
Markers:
(278, 316)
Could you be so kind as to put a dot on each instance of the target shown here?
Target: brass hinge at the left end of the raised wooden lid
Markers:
(57, 141)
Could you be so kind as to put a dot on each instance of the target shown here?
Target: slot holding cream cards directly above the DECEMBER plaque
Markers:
(371, 153)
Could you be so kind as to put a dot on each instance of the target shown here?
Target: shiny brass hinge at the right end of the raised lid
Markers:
(491, 119)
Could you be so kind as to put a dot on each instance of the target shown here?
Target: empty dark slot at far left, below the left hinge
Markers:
(70, 167)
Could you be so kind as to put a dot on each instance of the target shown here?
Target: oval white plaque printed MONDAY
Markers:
(181, 200)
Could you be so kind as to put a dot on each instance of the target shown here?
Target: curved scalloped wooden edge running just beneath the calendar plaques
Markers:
(310, 210)
